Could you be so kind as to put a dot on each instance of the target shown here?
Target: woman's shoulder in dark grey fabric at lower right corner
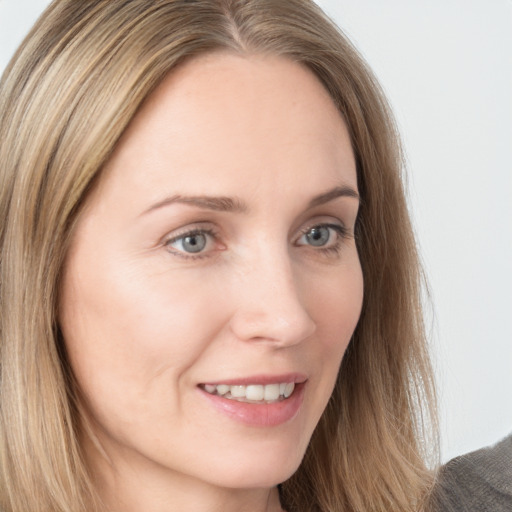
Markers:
(480, 481)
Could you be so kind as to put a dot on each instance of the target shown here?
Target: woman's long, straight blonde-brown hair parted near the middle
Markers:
(65, 100)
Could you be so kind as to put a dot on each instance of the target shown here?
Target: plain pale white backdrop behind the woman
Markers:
(446, 66)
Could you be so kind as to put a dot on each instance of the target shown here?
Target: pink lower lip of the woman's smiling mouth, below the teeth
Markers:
(260, 415)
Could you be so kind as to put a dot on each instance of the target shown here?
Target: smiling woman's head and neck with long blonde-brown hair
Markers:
(194, 193)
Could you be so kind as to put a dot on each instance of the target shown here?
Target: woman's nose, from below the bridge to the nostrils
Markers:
(269, 306)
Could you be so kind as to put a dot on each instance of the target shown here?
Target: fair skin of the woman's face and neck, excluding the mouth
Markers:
(145, 323)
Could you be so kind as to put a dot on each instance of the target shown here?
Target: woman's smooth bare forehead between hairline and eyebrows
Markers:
(236, 117)
